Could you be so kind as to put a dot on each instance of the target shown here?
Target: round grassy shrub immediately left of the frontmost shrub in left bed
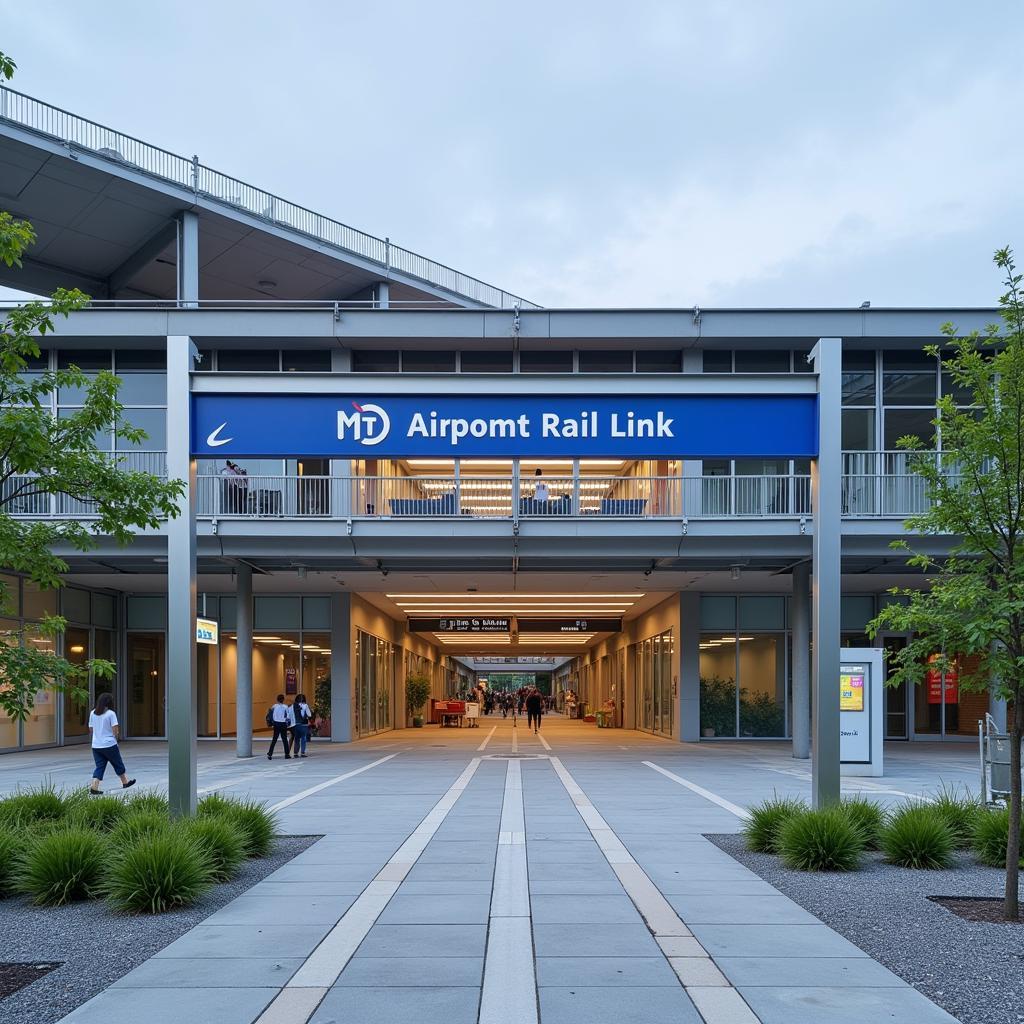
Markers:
(66, 866)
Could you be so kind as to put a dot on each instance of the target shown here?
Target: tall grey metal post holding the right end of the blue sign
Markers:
(827, 485)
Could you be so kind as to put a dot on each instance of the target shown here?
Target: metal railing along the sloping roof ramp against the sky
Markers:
(74, 132)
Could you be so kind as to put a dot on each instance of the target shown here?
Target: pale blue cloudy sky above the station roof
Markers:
(599, 153)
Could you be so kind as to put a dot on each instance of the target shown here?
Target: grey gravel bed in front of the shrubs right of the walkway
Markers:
(973, 970)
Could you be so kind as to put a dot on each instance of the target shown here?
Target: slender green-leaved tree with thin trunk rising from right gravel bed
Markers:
(972, 615)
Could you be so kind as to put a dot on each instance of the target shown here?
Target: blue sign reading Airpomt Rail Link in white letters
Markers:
(366, 426)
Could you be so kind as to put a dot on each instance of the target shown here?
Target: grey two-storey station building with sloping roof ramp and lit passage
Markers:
(662, 580)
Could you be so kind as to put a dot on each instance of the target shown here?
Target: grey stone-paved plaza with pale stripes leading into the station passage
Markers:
(491, 876)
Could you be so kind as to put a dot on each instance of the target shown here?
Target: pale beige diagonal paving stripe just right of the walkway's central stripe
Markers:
(677, 943)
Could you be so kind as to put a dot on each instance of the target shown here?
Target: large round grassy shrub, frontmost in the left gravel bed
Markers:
(159, 873)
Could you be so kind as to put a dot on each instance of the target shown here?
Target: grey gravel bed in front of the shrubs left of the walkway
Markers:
(99, 946)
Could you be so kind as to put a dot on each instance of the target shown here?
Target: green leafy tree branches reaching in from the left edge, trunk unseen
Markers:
(41, 456)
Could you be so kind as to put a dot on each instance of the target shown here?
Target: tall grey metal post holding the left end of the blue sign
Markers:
(181, 587)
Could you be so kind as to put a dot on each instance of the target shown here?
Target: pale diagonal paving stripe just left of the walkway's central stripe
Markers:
(325, 964)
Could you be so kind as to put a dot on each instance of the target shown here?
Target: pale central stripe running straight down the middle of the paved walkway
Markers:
(509, 993)
